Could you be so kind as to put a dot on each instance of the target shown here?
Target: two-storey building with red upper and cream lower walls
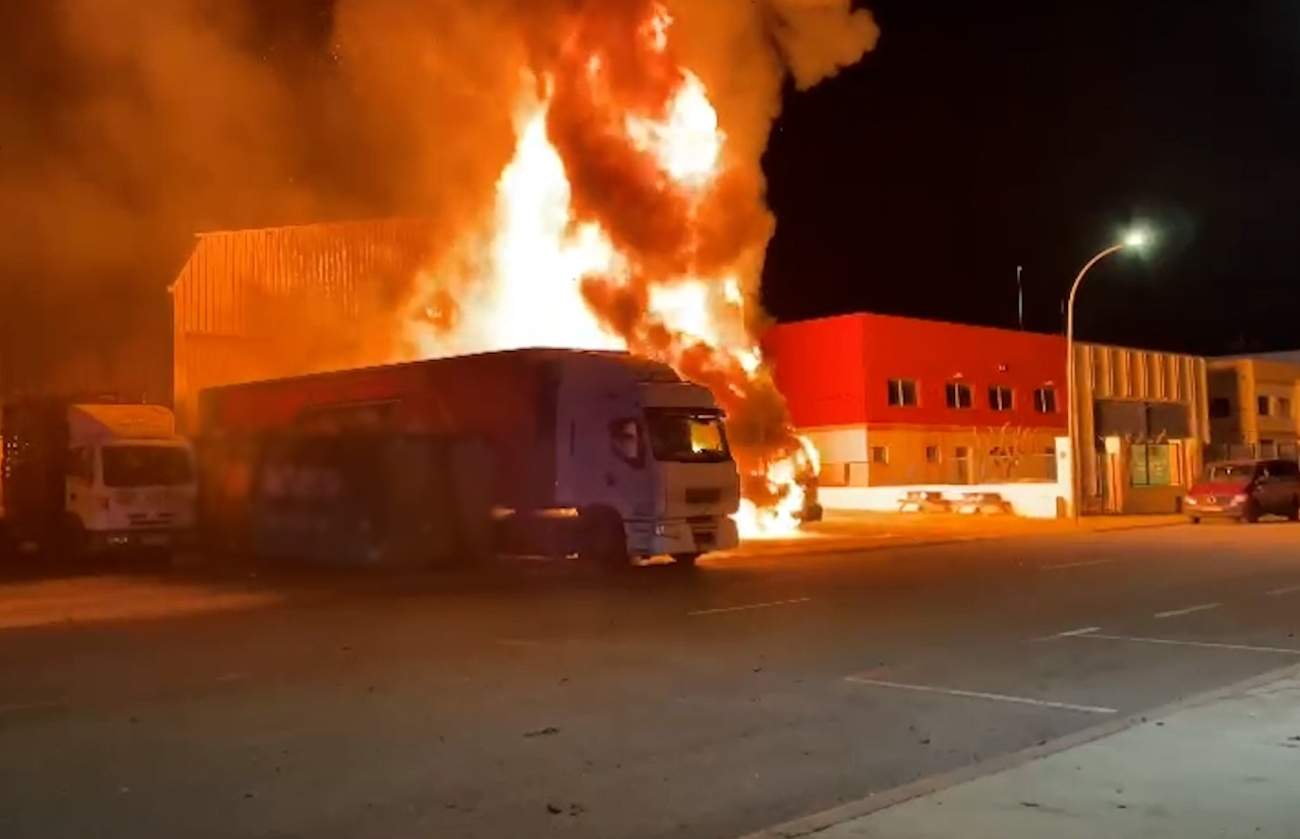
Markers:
(895, 401)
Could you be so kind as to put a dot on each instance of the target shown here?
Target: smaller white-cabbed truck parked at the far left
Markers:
(85, 478)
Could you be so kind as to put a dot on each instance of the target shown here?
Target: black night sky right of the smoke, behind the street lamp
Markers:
(985, 136)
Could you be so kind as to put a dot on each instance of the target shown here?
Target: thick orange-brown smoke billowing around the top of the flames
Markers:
(129, 127)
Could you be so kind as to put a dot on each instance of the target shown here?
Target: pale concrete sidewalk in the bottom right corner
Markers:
(1224, 768)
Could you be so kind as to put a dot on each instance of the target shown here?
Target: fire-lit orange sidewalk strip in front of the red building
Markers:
(844, 531)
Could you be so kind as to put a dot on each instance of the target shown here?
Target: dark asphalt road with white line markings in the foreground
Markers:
(562, 703)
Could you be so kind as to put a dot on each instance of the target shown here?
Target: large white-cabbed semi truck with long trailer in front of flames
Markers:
(596, 455)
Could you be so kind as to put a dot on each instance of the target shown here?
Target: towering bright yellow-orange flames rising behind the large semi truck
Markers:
(557, 271)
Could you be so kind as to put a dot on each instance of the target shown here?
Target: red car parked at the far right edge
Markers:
(1246, 491)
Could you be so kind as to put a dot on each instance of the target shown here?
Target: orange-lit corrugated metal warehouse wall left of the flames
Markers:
(285, 301)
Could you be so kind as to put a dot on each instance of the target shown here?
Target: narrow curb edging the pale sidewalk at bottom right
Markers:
(874, 803)
